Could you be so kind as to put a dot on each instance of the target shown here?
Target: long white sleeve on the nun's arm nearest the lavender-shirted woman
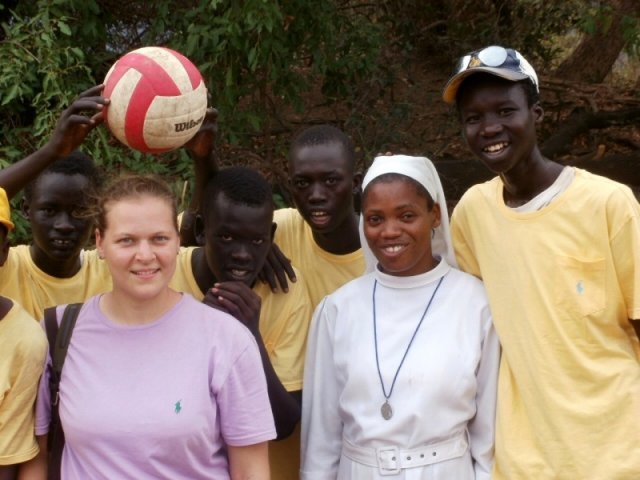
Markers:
(321, 442)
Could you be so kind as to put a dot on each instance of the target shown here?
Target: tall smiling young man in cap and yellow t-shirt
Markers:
(559, 251)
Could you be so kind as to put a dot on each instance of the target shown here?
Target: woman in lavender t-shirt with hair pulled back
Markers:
(155, 384)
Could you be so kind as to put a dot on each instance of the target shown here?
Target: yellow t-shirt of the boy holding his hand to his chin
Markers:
(284, 323)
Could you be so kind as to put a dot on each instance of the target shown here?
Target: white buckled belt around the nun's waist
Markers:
(390, 460)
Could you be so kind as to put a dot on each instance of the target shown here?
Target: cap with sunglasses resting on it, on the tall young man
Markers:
(503, 62)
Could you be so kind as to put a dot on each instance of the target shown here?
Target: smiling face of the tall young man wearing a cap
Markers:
(498, 123)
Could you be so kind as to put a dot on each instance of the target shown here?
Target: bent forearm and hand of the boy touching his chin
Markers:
(237, 299)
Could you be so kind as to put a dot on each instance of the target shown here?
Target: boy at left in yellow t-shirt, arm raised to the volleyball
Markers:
(55, 269)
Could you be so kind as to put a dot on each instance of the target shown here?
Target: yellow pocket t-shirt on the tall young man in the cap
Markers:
(563, 283)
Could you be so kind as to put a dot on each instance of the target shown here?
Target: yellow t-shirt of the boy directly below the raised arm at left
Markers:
(22, 281)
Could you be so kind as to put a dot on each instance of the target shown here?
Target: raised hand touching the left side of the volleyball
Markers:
(75, 123)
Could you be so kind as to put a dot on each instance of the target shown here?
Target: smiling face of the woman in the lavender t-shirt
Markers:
(139, 243)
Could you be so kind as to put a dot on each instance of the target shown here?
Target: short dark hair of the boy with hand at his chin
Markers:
(239, 184)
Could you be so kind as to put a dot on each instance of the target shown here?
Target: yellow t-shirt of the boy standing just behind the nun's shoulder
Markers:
(324, 271)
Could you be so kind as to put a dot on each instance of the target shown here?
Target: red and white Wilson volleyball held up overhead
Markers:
(158, 99)
